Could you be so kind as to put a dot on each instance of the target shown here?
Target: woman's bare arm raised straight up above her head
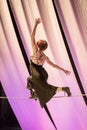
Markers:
(34, 47)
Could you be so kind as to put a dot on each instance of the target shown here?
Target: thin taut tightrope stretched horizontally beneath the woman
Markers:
(11, 97)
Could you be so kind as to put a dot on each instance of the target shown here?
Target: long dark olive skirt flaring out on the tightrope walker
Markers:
(43, 90)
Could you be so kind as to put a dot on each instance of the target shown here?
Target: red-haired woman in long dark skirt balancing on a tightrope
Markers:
(38, 80)
